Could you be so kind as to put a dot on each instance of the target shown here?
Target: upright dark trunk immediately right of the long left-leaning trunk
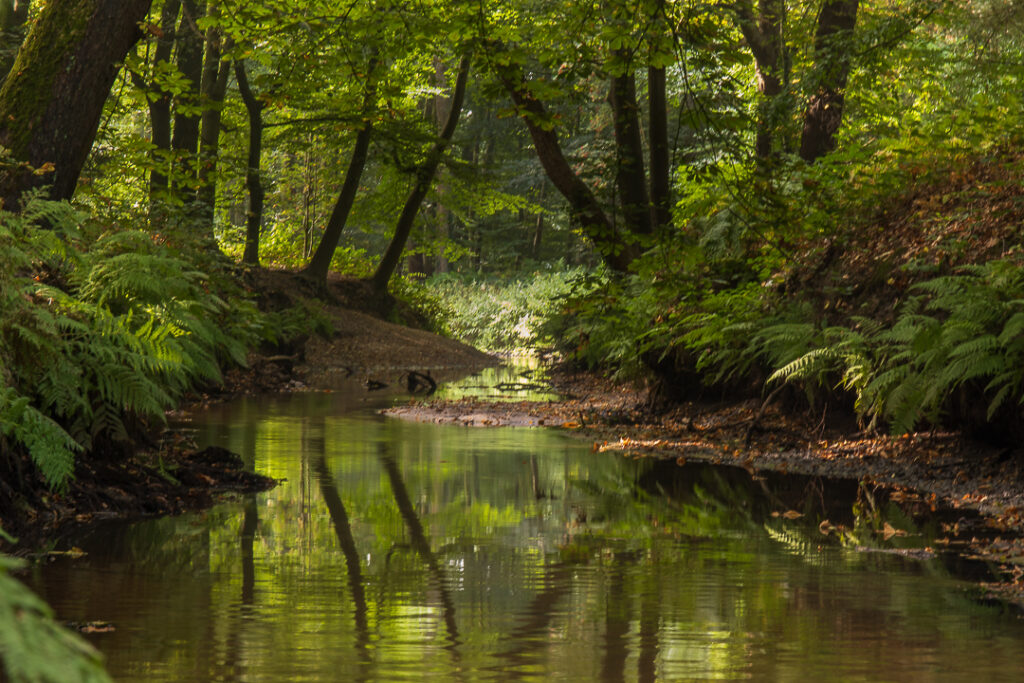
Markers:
(630, 174)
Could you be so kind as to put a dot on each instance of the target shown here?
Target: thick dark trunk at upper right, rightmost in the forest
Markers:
(832, 55)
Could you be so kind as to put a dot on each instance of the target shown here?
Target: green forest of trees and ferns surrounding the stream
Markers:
(814, 203)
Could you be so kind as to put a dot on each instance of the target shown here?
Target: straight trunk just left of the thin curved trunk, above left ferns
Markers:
(212, 90)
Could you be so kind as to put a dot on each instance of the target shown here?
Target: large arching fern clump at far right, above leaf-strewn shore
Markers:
(966, 329)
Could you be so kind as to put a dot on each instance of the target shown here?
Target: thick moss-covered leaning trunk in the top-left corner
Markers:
(52, 104)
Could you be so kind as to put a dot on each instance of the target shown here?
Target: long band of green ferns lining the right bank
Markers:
(957, 334)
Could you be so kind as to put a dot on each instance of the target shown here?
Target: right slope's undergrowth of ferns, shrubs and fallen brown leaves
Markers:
(931, 340)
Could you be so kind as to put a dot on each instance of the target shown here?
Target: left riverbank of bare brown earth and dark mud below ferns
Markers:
(165, 475)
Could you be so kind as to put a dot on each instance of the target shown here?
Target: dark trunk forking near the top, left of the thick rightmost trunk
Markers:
(763, 33)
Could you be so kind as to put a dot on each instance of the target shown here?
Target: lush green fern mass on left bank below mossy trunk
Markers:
(98, 331)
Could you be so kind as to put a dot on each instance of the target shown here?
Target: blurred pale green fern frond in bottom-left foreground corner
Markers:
(34, 648)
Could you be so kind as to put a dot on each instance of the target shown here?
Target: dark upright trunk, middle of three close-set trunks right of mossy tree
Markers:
(185, 139)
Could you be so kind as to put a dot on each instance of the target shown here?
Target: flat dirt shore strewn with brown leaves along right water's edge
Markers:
(934, 468)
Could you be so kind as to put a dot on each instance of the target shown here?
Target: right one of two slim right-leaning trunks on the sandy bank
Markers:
(424, 177)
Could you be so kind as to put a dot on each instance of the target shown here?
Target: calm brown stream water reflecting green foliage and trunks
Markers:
(397, 551)
